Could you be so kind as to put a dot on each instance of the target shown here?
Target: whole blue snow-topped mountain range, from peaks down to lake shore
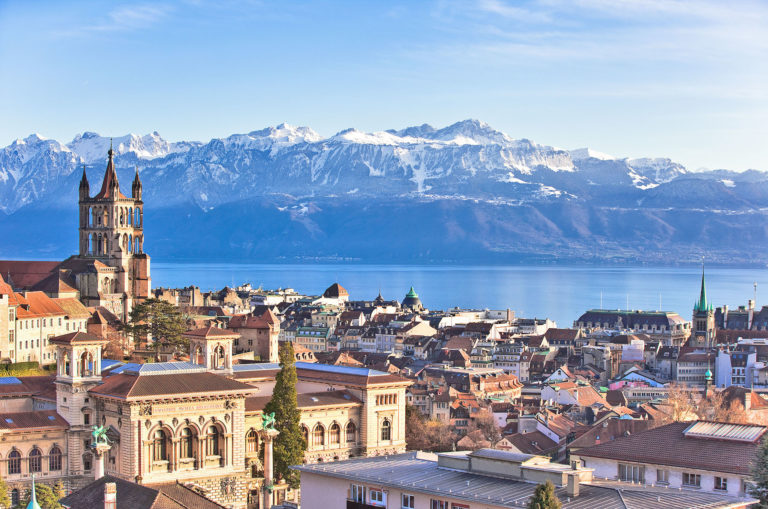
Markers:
(466, 193)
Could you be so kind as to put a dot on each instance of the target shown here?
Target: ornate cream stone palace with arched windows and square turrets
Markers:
(190, 422)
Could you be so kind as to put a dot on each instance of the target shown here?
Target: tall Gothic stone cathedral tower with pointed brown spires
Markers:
(112, 233)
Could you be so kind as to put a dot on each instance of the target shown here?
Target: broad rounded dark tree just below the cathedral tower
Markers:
(159, 319)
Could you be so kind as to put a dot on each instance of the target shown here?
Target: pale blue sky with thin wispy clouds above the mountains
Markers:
(686, 79)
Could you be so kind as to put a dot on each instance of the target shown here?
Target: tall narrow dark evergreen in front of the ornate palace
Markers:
(289, 446)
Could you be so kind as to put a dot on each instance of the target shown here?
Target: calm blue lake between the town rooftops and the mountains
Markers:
(561, 293)
